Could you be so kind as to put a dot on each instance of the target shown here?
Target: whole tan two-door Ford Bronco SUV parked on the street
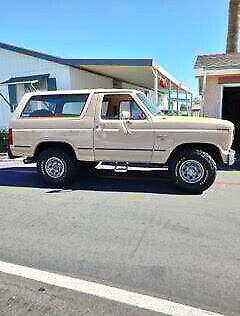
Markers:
(60, 130)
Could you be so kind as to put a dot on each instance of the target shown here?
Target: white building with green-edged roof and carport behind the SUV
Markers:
(23, 70)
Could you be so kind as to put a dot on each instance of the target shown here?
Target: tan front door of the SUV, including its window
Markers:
(115, 139)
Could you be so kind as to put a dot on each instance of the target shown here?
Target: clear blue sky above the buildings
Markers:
(171, 32)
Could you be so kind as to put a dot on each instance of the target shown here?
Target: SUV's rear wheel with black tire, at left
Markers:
(68, 166)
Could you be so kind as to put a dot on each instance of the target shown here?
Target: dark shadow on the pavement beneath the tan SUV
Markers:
(138, 182)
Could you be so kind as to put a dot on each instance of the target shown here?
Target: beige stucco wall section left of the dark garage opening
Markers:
(212, 98)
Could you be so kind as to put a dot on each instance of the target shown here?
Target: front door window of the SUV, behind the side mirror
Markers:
(113, 105)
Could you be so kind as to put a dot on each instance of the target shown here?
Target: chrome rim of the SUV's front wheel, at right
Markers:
(191, 171)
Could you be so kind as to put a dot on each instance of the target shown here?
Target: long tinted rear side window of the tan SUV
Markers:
(55, 105)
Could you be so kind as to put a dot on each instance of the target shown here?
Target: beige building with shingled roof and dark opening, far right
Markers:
(219, 86)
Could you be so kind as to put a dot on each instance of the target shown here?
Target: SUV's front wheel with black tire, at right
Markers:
(204, 171)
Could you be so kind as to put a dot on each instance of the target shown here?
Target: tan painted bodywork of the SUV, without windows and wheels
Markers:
(149, 140)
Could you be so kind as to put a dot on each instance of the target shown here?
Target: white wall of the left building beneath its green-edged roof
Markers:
(14, 64)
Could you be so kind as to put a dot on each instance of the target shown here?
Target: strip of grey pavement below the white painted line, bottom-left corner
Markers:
(23, 297)
